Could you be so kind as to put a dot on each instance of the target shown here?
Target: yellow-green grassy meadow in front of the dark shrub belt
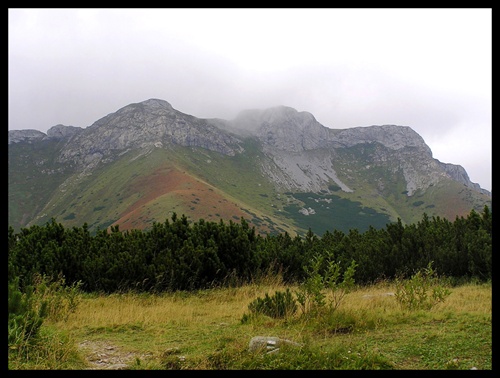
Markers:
(211, 330)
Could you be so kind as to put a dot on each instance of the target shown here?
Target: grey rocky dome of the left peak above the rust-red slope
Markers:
(152, 123)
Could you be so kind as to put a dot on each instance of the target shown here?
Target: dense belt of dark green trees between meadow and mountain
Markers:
(182, 255)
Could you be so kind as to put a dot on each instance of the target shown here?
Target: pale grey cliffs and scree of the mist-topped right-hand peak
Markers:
(289, 136)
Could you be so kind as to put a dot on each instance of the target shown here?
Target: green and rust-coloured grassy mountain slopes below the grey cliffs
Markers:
(145, 186)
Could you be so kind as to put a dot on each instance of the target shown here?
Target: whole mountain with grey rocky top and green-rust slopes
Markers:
(278, 168)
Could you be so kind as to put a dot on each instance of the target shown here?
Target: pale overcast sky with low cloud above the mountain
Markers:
(429, 69)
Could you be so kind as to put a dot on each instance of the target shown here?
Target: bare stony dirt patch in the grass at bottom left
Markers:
(103, 355)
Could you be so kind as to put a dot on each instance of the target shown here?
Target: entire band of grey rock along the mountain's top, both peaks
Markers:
(302, 152)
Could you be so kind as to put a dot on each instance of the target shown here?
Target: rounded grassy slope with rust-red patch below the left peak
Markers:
(145, 187)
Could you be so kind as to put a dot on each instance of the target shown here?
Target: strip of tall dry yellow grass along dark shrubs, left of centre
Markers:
(202, 307)
